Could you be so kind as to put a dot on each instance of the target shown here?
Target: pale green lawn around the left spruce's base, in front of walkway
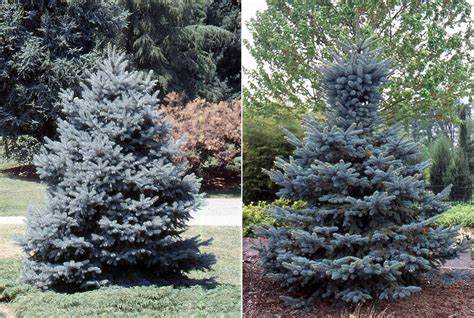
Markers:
(168, 301)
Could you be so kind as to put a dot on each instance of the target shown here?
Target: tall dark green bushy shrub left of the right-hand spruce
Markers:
(263, 140)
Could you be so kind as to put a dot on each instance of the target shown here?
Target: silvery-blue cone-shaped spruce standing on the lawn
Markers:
(118, 193)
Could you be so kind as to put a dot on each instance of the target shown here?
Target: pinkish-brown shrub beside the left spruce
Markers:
(211, 130)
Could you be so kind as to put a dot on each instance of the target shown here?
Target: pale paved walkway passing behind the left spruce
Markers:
(214, 212)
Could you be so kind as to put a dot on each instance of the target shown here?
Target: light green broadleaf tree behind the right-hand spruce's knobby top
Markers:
(427, 40)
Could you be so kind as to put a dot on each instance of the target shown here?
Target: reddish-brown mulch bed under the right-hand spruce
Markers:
(261, 298)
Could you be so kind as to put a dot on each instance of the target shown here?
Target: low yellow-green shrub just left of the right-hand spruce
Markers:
(256, 215)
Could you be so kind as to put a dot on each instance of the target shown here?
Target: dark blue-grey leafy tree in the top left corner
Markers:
(46, 46)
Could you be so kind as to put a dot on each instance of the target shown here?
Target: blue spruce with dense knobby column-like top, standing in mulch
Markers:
(366, 231)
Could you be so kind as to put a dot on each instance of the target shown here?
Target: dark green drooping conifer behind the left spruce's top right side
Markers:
(170, 37)
